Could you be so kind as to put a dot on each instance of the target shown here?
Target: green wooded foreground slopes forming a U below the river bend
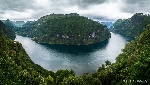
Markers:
(131, 67)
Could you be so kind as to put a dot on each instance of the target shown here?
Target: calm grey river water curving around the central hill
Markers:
(79, 58)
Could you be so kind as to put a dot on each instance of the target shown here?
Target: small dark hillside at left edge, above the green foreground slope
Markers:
(7, 32)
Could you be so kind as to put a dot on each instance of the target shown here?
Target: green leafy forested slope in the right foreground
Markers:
(132, 66)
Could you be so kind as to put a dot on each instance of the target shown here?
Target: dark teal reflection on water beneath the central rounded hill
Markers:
(76, 49)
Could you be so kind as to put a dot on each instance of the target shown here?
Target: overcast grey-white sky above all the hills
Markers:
(104, 10)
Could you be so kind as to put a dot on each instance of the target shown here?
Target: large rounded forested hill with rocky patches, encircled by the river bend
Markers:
(69, 29)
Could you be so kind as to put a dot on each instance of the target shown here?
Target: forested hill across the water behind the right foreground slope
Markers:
(133, 26)
